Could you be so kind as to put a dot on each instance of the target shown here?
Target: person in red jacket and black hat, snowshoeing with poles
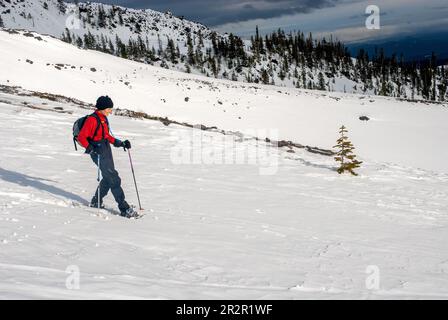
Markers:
(96, 138)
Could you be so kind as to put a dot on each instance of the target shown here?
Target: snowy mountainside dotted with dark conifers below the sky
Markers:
(292, 60)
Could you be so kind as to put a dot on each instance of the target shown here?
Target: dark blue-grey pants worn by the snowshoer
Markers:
(110, 178)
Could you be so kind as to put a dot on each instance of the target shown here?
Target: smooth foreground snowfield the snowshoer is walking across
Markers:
(210, 231)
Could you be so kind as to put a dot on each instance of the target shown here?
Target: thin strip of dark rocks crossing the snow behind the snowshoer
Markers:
(19, 91)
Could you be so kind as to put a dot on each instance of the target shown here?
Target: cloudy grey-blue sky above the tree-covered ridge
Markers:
(343, 18)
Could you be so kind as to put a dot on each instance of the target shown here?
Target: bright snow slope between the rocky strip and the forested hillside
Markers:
(406, 133)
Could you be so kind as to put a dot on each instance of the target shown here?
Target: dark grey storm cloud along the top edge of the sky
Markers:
(217, 12)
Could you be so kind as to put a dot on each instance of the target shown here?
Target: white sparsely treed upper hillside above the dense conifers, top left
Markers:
(84, 17)
